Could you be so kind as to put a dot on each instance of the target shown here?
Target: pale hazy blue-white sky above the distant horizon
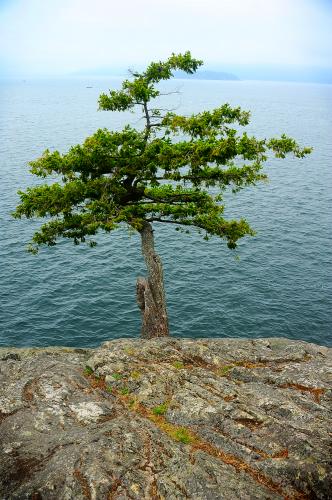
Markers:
(64, 36)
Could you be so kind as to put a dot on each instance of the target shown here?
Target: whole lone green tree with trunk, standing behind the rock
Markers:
(161, 173)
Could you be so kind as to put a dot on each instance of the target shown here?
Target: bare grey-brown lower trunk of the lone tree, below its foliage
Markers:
(150, 291)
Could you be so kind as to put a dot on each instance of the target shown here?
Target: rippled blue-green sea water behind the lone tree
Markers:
(275, 284)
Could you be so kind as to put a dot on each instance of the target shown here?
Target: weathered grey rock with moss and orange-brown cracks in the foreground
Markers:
(167, 418)
